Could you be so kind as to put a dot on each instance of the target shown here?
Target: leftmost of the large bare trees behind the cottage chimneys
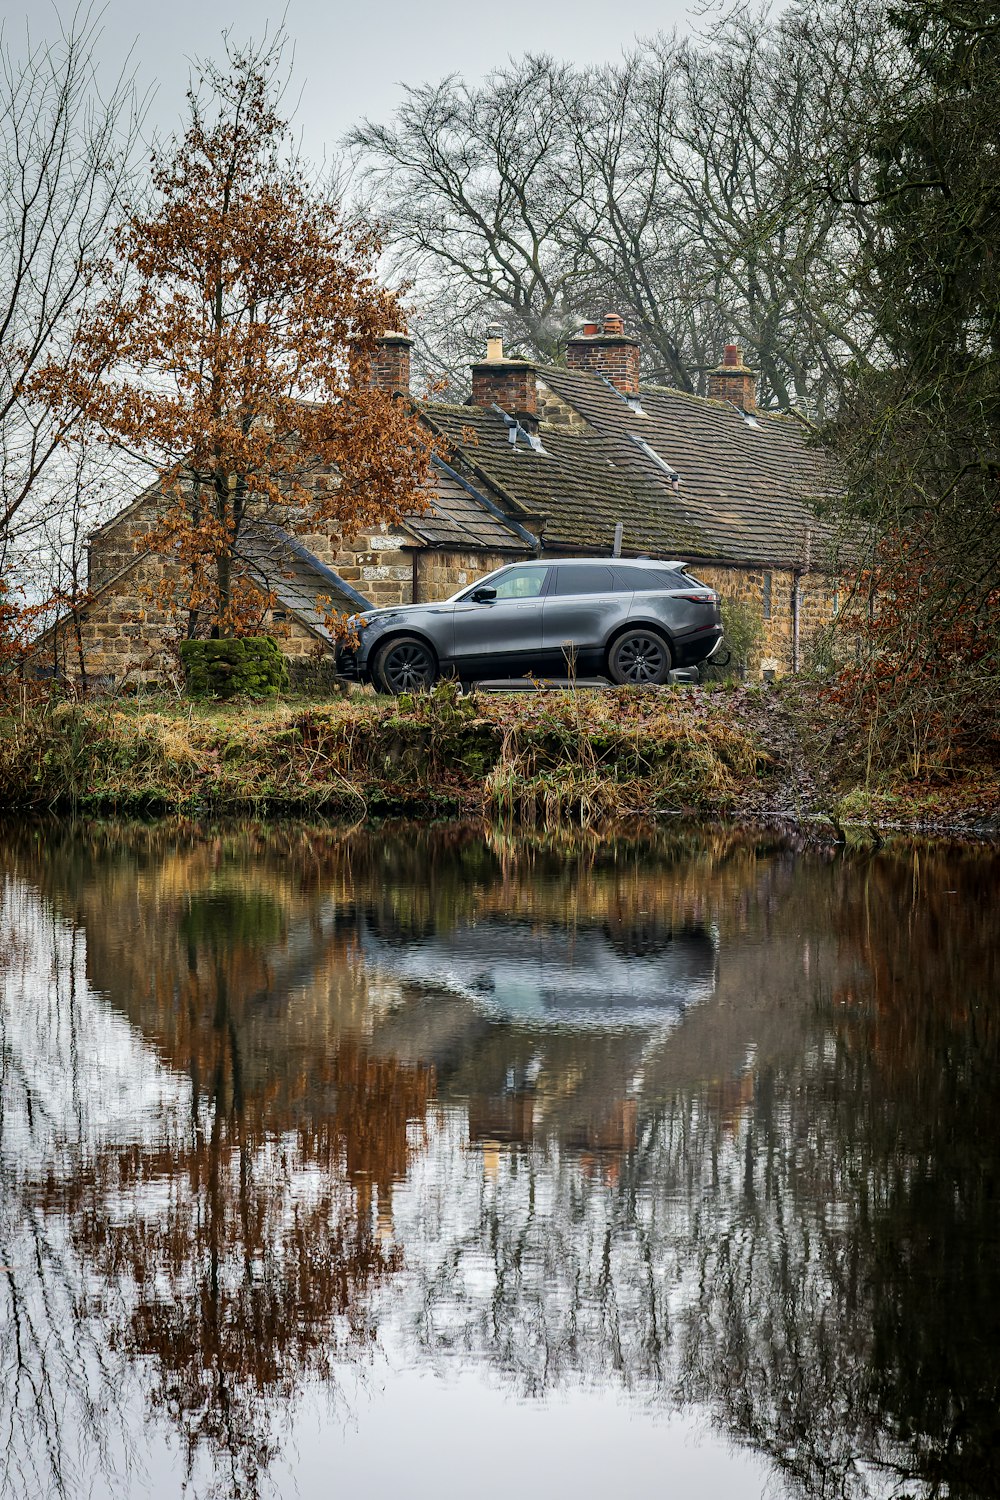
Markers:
(482, 190)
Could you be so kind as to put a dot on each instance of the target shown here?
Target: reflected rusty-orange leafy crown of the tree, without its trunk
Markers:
(248, 1253)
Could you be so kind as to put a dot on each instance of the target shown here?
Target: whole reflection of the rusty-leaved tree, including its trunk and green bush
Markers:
(238, 1247)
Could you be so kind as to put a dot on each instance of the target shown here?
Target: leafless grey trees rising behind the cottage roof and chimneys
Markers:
(686, 185)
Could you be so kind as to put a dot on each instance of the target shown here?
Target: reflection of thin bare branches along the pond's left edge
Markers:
(58, 1376)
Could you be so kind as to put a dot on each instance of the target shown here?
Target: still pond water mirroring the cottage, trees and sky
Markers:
(431, 1163)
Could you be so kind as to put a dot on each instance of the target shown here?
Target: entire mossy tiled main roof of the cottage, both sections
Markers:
(746, 493)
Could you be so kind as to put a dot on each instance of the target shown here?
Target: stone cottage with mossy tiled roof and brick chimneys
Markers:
(545, 460)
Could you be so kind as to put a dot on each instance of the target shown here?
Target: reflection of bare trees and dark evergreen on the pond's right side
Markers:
(819, 1264)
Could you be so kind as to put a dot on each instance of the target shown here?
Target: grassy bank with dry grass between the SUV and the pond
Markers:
(525, 758)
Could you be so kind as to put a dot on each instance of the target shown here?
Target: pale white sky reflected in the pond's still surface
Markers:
(422, 1415)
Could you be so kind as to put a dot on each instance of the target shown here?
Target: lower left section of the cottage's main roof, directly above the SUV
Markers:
(578, 485)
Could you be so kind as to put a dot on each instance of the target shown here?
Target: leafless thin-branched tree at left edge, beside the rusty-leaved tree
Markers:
(67, 169)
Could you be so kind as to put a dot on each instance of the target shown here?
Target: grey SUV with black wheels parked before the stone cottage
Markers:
(627, 620)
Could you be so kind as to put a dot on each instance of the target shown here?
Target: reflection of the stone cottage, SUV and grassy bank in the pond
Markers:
(503, 1015)
